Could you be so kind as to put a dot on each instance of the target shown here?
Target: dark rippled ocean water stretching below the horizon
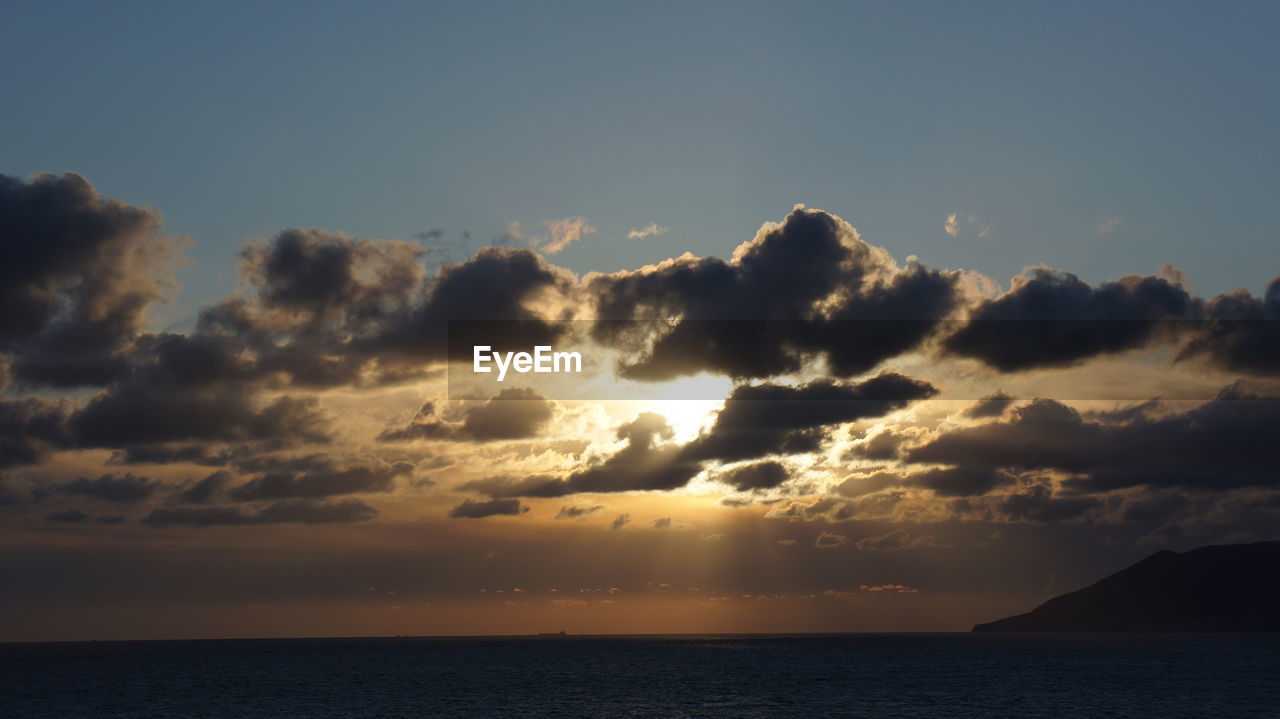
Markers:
(874, 676)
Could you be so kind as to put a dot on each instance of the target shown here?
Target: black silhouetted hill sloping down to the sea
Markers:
(1213, 589)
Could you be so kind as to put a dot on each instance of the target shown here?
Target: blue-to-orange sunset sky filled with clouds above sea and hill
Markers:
(239, 235)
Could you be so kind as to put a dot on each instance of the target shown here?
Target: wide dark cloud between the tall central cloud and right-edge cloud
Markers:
(1053, 319)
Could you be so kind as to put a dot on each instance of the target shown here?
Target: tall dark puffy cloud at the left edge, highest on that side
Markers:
(79, 277)
